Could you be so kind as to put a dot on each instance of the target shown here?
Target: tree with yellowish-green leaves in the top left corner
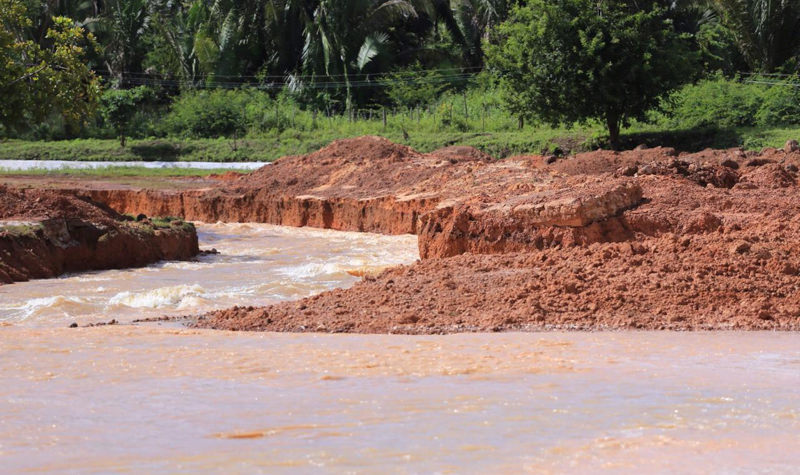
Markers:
(37, 79)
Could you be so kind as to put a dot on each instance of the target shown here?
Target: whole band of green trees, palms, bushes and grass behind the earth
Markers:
(231, 80)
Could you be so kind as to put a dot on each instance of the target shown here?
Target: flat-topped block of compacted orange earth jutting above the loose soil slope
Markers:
(562, 211)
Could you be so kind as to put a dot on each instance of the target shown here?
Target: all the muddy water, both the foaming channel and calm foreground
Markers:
(165, 399)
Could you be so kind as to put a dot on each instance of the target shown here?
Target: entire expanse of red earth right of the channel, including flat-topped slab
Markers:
(645, 239)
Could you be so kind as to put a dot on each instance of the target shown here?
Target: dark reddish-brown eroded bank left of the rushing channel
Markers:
(45, 233)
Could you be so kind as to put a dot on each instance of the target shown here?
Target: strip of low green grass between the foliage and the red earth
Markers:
(291, 142)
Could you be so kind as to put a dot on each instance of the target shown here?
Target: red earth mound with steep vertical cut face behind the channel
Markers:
(362, 184)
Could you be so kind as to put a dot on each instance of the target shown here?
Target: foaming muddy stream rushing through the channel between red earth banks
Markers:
(257, 264)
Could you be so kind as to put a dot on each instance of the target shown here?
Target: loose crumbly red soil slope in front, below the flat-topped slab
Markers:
(725, 259)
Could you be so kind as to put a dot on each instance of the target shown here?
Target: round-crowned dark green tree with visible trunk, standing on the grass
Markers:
(567, 61)
